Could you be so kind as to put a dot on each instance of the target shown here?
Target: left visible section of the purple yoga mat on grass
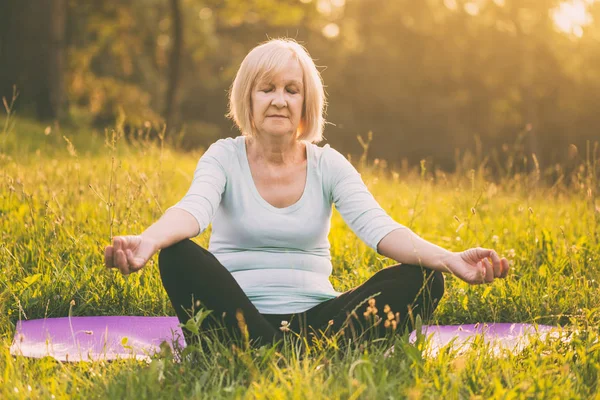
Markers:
(95, 338)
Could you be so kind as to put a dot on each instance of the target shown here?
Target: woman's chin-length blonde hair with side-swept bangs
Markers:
(266, 60)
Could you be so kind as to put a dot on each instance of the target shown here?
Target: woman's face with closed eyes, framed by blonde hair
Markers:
(277, 102)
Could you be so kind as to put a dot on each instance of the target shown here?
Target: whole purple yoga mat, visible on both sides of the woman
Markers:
(102, 338)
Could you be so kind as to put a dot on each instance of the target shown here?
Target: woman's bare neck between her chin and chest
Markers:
(274, 150)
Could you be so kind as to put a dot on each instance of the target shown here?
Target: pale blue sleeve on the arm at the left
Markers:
(204, 195)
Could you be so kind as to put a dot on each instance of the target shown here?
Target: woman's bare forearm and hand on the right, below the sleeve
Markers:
(472, 265)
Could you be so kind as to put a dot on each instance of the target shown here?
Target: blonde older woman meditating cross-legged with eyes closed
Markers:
(269, 195)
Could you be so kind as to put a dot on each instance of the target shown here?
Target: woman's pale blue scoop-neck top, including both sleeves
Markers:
(280, 256)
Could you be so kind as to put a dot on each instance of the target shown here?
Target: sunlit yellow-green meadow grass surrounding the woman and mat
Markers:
(64, 193)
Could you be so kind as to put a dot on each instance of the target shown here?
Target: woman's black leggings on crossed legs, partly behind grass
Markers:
(191, 274)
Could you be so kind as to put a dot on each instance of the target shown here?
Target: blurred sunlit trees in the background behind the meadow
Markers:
(431, 79)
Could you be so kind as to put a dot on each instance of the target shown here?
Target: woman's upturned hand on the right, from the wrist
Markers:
(477, 265)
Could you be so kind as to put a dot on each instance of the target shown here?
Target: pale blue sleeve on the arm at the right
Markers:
(356, 204)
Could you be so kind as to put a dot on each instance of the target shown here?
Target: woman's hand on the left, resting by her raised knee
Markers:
(129, 253)
